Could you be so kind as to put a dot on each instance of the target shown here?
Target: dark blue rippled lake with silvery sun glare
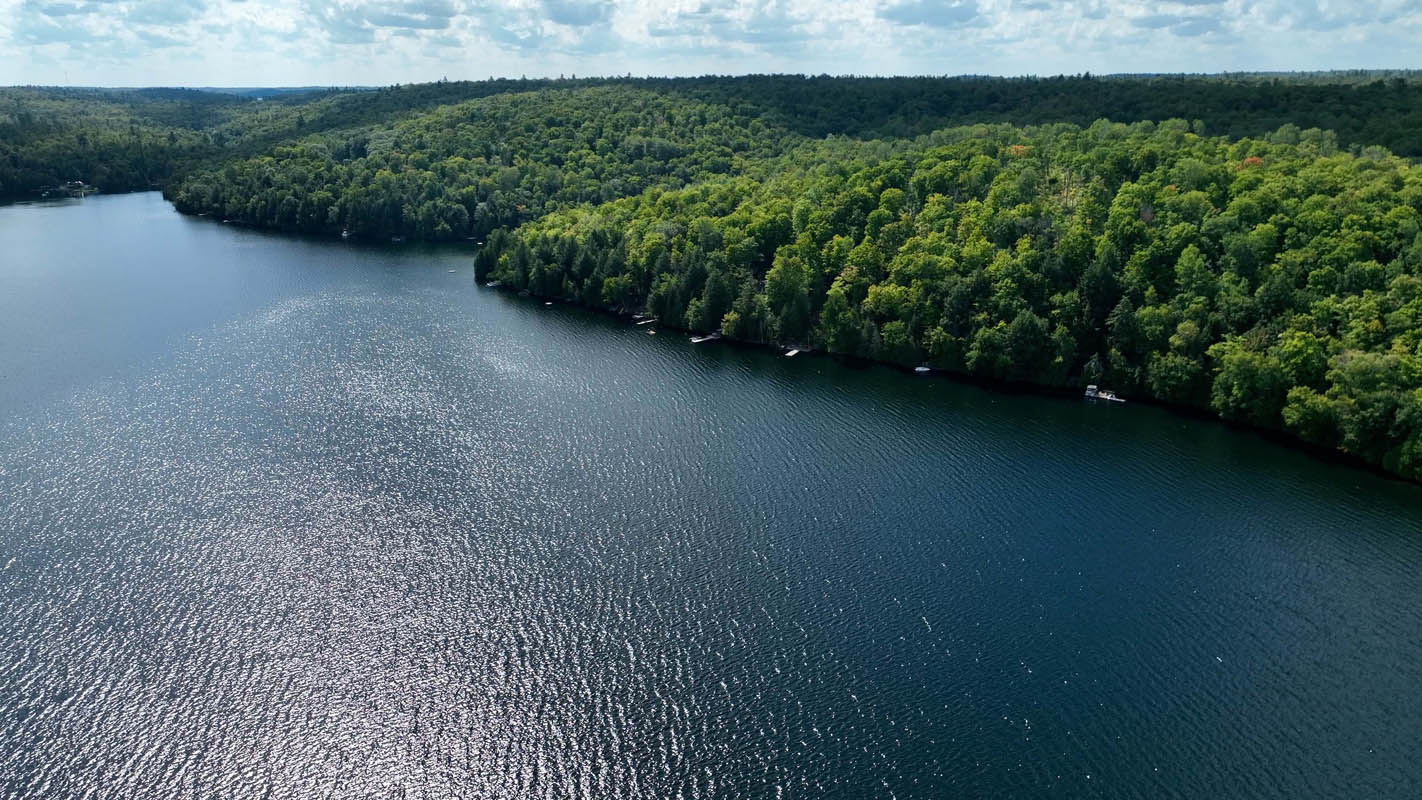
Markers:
(301, 519)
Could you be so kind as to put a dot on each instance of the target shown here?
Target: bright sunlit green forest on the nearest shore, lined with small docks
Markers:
(1275, 283)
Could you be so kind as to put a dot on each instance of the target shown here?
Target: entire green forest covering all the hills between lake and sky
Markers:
(1249, 247)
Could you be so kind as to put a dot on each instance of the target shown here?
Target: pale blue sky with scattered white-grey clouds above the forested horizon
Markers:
(355, 42)
